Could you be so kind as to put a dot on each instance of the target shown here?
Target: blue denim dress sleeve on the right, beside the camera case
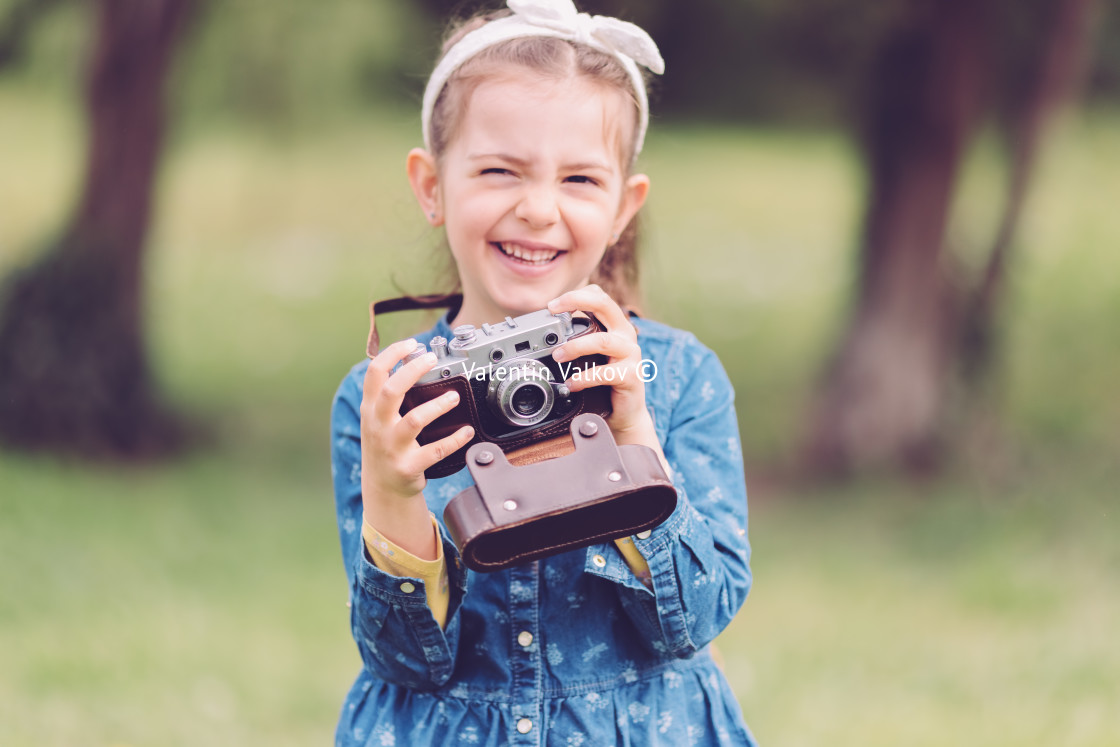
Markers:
(699, 558)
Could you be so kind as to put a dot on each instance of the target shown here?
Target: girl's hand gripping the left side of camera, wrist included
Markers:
(393, 462)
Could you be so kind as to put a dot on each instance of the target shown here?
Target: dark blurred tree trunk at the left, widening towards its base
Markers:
(73, 365)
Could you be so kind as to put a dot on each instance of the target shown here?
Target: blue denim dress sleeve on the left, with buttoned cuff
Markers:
(397, 634)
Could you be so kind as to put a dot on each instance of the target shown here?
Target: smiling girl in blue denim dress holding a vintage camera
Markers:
(533, 122)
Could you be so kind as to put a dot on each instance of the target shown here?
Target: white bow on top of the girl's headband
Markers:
(610, 34)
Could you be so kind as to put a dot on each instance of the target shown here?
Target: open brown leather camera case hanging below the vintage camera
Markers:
(599, 492)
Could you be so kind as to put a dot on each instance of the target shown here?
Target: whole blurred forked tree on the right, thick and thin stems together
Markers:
(939, 73)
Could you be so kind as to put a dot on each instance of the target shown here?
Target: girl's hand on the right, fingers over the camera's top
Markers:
(630, 422)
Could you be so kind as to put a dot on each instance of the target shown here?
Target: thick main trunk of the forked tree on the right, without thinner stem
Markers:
(884, 393)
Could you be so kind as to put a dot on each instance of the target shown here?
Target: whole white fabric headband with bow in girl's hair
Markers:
(624, 42)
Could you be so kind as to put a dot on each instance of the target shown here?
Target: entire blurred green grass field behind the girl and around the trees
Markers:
(203, 602)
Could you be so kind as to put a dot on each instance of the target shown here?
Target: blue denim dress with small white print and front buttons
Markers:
(573, 650)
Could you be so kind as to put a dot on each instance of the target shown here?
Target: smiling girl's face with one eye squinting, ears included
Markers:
(533, 190)
